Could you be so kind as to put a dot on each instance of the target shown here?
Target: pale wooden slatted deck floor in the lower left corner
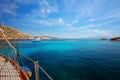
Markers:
(7, 70)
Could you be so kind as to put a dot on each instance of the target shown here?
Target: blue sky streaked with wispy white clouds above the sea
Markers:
(63, 18)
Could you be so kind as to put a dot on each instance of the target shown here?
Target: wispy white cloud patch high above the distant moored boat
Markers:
(44, 9)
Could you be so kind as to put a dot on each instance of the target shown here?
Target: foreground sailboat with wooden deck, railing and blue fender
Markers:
(10, 69)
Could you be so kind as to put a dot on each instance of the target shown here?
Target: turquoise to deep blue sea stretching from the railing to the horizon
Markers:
(75, 59)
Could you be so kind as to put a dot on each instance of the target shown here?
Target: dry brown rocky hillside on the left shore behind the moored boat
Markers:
(12, 33)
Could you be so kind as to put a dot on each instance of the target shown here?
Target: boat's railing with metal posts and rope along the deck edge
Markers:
(16, 54)
